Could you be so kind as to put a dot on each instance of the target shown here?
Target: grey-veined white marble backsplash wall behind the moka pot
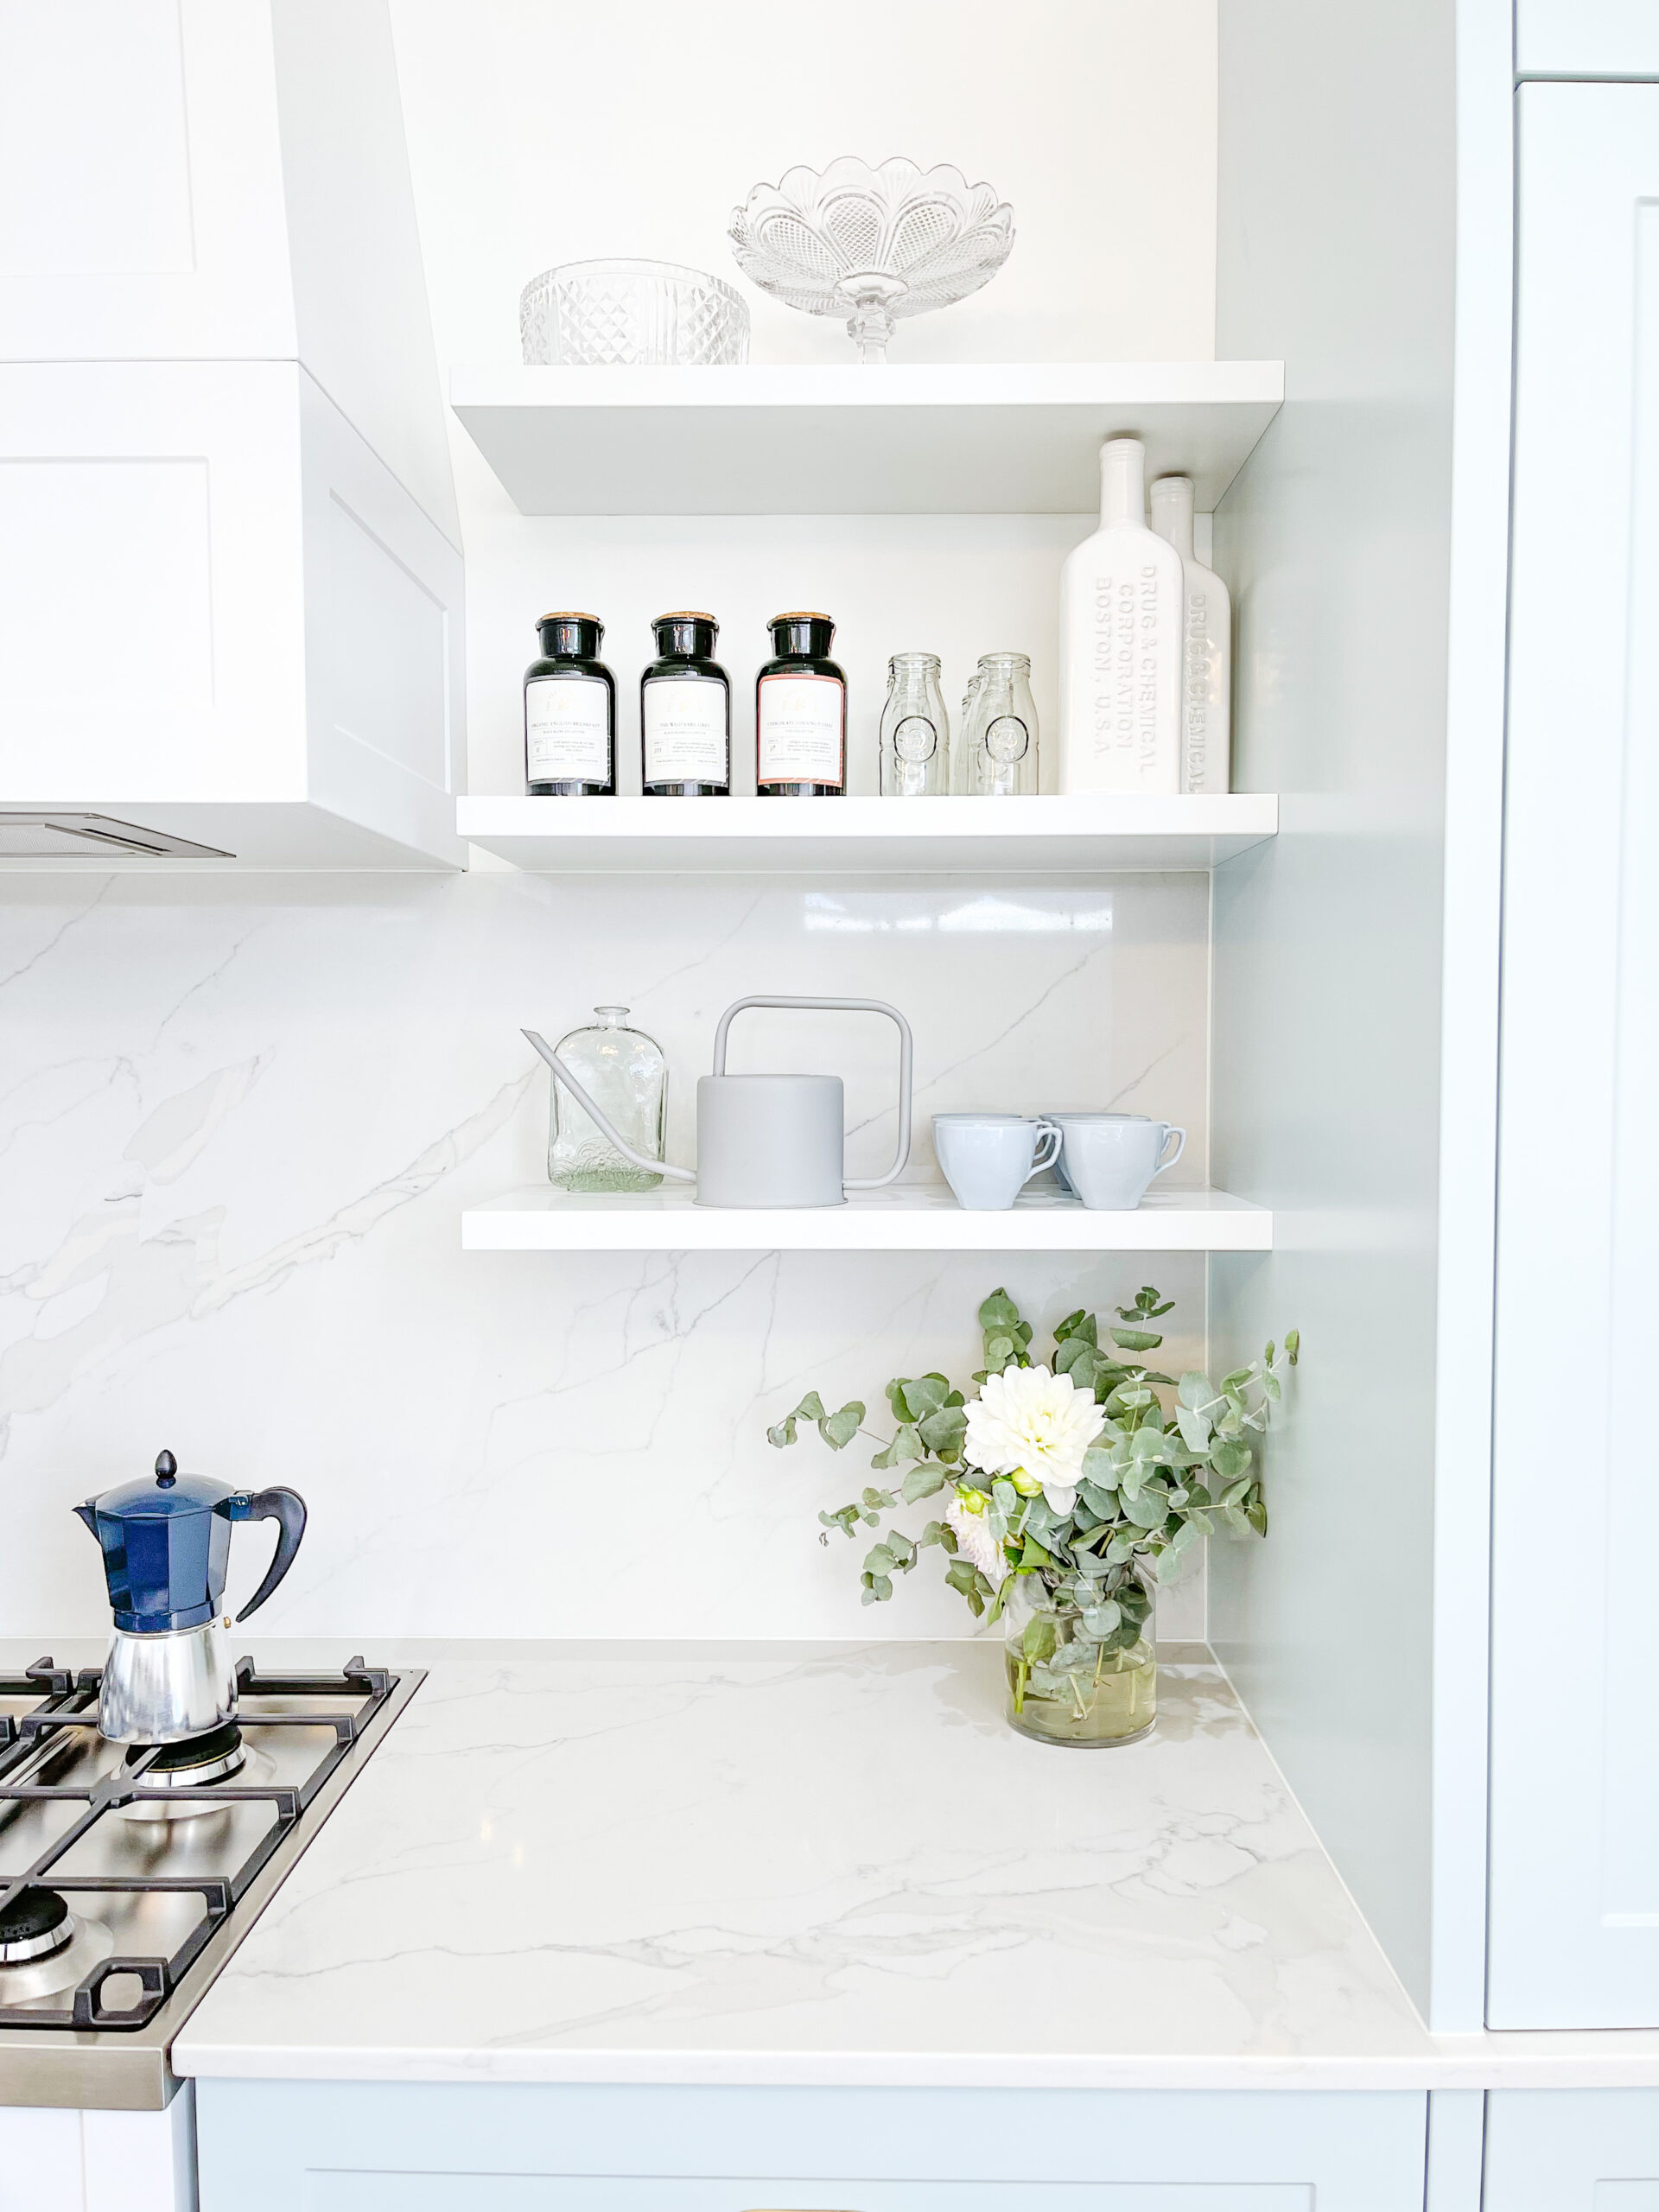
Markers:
(240, 1118)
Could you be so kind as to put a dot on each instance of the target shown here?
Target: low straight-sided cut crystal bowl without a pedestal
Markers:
(632, 315)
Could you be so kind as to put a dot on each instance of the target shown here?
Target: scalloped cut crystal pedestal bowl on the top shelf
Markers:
(884, 242)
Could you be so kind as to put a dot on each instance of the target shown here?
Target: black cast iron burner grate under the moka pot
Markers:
(70, 1704)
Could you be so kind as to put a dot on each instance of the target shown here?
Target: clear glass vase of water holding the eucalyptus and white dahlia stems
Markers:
(1065, 1684)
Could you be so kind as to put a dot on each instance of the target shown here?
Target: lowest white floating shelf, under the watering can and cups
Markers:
(910, 1218)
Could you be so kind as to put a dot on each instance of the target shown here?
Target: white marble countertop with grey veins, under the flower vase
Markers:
(824, 1866)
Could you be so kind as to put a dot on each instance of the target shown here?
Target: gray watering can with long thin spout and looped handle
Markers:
(766, 1140)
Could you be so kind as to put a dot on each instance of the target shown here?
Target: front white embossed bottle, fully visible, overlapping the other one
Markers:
(1120, 643)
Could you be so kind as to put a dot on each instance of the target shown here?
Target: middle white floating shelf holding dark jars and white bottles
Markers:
(868, 837)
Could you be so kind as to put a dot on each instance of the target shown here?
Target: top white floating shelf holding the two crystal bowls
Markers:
(857, 441)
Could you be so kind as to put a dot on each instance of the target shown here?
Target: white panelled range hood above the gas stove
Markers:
(229, 559)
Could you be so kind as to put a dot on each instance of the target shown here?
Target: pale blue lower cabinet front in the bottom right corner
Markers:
(1572, 2151)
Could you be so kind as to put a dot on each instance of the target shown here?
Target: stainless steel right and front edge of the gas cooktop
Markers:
(132, 2074)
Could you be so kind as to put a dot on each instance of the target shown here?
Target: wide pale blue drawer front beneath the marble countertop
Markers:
(567, 2149)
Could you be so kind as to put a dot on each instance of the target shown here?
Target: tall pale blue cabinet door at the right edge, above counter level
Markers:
(1576, 1731)
